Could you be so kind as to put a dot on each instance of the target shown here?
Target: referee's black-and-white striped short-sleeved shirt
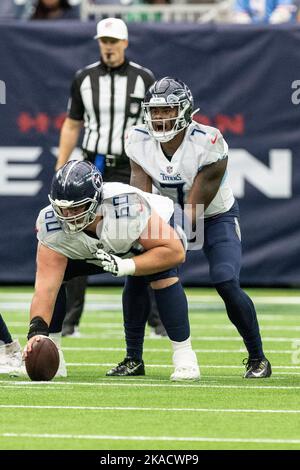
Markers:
(108, 100)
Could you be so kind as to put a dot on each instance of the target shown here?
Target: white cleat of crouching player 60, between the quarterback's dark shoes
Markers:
(186, 366)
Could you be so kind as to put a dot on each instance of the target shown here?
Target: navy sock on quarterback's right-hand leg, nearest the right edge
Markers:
(241, 312)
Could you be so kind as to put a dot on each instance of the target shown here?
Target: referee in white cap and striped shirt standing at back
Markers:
(106, 98)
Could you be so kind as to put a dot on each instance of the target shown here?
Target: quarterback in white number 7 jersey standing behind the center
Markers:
(187, 162)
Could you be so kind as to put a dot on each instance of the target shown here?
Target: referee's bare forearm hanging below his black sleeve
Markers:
(69, 136)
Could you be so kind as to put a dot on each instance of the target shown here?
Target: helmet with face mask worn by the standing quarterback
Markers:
(171, 93)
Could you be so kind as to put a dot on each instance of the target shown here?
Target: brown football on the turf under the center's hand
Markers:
(43, 361)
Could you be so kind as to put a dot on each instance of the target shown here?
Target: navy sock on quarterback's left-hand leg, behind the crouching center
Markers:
(136, 307)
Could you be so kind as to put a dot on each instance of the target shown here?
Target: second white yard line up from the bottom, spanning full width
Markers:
(139, 408)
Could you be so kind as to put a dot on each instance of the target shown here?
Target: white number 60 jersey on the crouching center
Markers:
(126, 211)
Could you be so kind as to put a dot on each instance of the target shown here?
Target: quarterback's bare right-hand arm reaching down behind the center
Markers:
(206, 185)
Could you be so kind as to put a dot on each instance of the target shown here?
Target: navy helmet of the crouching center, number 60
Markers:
(76, 192)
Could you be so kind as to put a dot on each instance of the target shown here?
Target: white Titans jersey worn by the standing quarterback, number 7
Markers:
(201, 146)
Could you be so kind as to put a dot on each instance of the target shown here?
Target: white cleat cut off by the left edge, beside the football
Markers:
(11, 359)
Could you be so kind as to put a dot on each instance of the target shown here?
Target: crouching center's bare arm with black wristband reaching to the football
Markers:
(49, 277)
